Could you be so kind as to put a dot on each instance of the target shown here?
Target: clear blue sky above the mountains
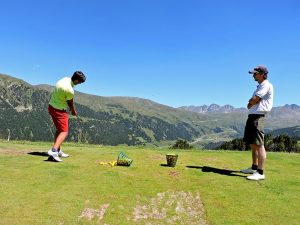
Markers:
(174, 52)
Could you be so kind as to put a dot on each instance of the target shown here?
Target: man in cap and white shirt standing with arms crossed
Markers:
(259, 105)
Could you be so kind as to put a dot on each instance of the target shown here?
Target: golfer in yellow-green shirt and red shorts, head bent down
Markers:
(61, 99)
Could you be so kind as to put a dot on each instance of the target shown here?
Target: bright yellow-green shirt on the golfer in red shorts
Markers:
(62, 92)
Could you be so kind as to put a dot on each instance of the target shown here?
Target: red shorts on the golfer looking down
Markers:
(60, 119)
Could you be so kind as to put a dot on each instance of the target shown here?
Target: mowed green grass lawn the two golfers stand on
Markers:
(81, 191)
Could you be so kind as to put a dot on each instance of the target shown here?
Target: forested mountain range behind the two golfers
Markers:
(124, 120)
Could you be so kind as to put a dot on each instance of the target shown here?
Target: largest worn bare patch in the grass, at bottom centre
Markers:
(172, 207)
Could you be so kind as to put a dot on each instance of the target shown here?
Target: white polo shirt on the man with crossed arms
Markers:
(265, 92)
